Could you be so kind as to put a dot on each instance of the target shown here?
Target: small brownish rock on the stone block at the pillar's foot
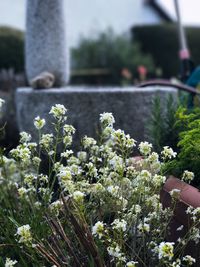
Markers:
(44, 80)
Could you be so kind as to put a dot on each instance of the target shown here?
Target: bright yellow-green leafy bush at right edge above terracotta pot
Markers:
(188, 125)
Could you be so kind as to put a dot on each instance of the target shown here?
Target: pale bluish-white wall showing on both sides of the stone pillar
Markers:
(87, 17)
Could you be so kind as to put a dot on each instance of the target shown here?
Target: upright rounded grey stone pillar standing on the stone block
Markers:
(46, 46)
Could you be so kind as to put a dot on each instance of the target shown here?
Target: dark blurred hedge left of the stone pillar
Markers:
(11, 49)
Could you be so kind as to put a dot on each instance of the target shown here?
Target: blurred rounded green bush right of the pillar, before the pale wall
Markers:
(110, 52)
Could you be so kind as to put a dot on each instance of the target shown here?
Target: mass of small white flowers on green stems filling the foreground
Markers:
(99, 207)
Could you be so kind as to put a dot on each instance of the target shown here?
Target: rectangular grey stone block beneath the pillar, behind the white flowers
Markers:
(130, 106)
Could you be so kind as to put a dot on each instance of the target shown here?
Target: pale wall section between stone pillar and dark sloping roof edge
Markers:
(97, 15)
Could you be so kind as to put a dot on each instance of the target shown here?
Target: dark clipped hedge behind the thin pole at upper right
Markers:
(161, 41)
